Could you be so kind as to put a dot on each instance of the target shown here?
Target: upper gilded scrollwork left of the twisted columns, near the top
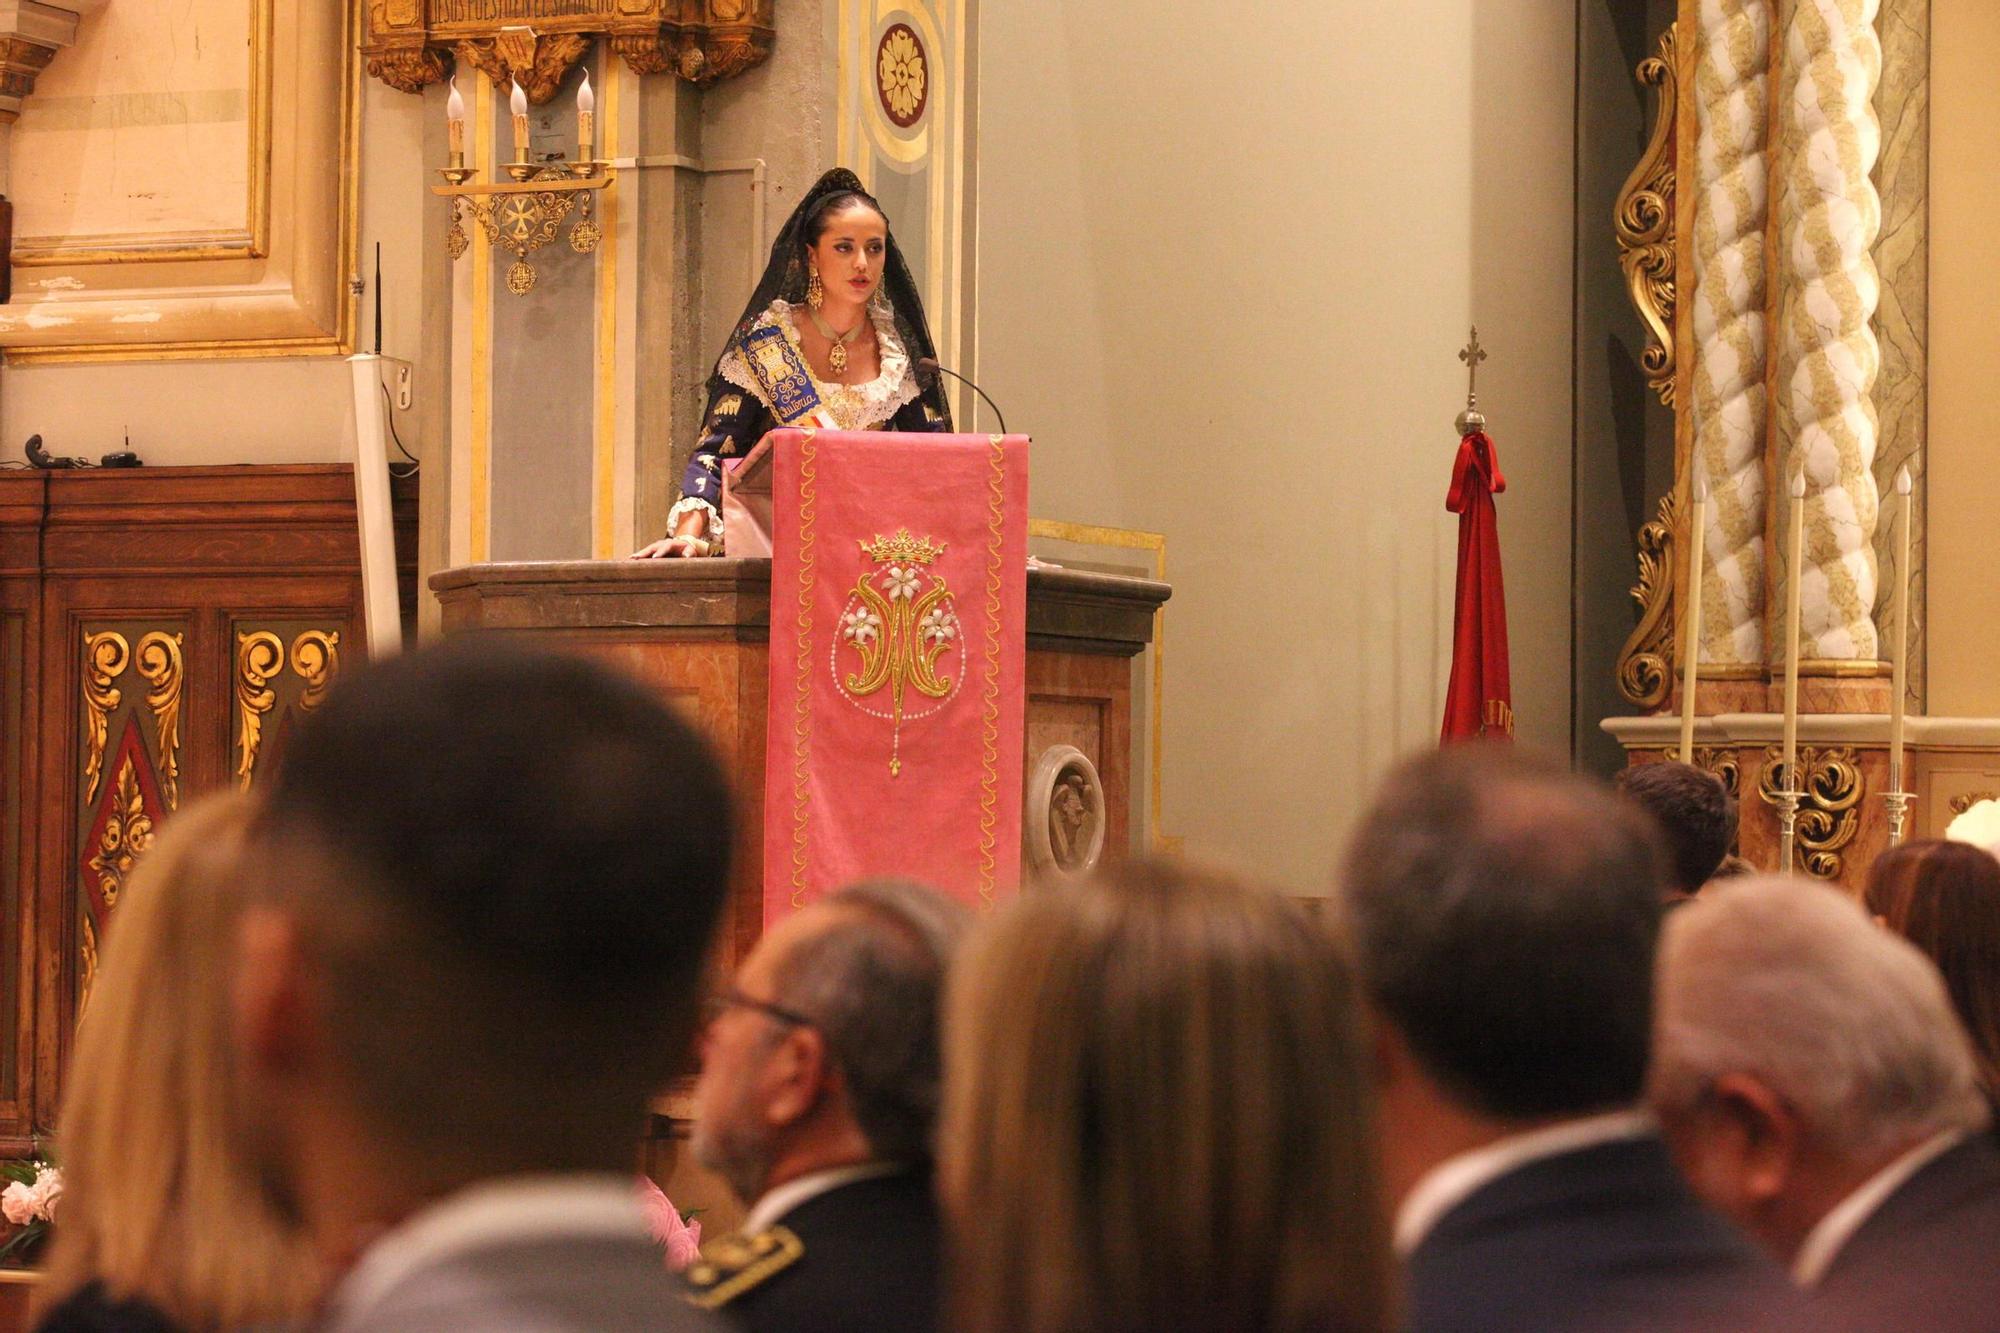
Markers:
(1645, 223)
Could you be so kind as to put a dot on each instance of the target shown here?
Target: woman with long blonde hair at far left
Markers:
(163, 1224)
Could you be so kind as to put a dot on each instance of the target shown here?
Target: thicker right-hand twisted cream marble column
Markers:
(1829, 357)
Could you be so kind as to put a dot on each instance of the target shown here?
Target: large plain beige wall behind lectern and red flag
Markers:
(1223, 273)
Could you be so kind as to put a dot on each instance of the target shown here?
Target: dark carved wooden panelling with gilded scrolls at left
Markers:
(121, 599)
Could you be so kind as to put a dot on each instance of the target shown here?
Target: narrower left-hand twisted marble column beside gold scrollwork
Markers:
(1731, 405)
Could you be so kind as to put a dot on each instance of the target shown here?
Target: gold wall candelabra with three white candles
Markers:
(529, 209)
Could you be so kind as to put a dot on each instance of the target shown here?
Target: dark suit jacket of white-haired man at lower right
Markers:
(1929, 1258)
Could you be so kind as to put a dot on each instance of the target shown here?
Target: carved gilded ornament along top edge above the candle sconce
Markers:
(415, 43)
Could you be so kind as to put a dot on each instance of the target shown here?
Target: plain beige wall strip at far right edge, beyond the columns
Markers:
(1965, 351)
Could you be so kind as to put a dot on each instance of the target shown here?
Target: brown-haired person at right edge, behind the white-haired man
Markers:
(1945, 898)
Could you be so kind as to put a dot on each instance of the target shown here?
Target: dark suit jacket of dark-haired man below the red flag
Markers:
(1603, 1238)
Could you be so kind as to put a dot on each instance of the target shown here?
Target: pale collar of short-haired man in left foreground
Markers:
(593, 1206)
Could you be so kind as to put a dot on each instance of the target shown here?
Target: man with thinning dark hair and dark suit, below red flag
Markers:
(1505, 920)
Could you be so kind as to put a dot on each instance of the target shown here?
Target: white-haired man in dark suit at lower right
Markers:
(1817, 1090)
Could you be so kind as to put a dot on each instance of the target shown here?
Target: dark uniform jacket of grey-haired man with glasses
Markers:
(871, 1266)
